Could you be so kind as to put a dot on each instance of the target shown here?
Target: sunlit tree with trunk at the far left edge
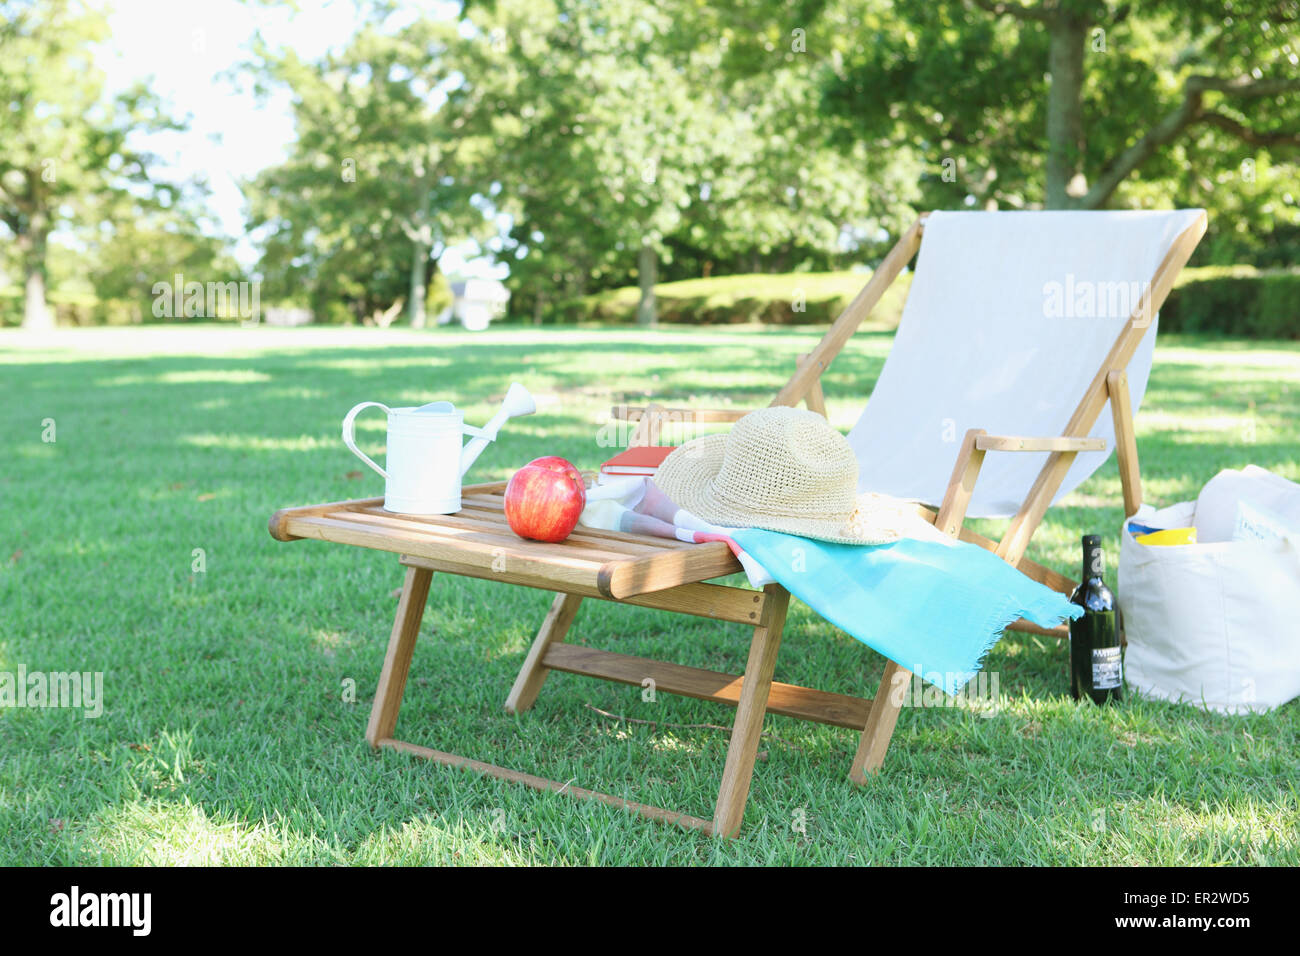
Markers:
(64, 144)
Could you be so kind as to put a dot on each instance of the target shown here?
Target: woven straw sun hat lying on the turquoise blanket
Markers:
(785, 470)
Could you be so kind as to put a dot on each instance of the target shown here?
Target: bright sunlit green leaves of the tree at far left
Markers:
(68, 167)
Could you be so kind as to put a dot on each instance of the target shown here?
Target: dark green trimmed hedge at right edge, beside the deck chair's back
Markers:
(1236, 301)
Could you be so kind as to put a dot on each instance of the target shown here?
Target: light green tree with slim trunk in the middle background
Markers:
(601, 120)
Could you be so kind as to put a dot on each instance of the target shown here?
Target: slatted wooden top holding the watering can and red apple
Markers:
(478, 542)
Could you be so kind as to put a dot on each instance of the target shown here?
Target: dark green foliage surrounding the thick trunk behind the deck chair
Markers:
(968, 89)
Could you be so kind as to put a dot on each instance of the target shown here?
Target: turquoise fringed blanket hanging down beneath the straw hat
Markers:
(934, 608)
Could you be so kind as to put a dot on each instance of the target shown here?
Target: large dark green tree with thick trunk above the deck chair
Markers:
(1068, 103)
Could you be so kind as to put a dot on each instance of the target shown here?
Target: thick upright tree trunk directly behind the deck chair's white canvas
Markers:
(1065, 179)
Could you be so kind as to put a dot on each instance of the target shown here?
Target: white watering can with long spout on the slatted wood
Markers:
(426, 461)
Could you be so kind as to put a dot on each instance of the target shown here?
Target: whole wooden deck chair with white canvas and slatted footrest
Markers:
(1019, 330)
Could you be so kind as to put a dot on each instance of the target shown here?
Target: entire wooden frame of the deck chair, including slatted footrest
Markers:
(674, 579)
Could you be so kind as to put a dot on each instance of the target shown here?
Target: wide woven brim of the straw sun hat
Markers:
(690, 478)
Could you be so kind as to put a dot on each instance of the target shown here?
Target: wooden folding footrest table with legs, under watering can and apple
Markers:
(609, 566)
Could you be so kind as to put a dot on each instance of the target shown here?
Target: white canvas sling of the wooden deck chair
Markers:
(1008, 321)
